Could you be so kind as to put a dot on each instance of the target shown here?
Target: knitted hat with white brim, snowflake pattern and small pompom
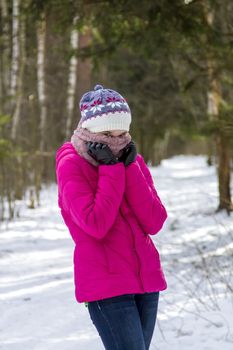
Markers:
(103, 110)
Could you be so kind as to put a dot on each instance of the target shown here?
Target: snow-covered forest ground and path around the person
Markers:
(37, 303)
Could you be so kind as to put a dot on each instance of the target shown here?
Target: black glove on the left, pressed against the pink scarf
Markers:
(101, 153)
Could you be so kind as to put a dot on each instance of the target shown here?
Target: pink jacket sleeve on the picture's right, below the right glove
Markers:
(143, 197)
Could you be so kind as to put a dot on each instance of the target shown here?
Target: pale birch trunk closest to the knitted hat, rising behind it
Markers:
(74, 38)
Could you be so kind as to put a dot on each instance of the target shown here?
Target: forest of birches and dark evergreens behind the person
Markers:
(172, 60)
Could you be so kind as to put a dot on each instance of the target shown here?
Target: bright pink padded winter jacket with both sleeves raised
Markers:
(110, 211)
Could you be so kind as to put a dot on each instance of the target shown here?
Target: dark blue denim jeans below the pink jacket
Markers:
(125, 322)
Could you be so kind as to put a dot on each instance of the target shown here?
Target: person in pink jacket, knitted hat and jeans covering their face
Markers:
(110, 205)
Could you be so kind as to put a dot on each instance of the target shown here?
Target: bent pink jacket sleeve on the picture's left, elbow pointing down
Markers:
(94, 211)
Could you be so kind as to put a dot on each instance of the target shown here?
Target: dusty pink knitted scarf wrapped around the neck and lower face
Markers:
(82, 135)
